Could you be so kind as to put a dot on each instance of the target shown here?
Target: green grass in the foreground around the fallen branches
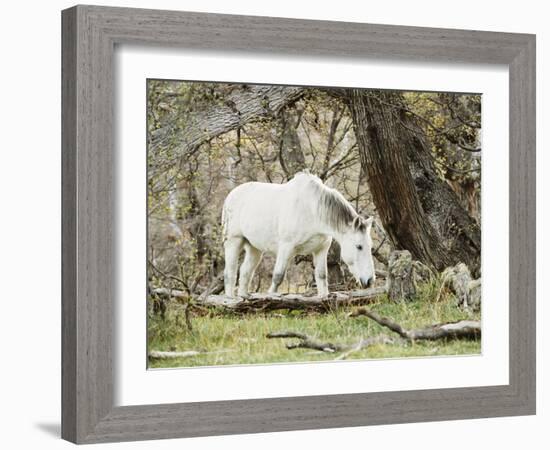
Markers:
(240, 339)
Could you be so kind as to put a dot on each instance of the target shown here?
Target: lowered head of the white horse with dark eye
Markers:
(356, 251)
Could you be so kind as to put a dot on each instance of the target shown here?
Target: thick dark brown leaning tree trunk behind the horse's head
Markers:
(420, 212)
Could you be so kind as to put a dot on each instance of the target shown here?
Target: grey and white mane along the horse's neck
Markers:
(334, 209)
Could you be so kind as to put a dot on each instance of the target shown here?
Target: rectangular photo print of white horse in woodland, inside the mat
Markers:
(292, 224)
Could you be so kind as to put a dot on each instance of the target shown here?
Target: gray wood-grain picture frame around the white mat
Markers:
(89, 36)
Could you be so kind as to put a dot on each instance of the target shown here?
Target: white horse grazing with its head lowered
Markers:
(299, 217)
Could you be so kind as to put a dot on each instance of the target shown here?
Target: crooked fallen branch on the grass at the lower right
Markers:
(464, 329)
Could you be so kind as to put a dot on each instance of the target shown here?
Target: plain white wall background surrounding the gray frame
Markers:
(30, 237)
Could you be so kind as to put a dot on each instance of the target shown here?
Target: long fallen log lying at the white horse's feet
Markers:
(270, 302)
